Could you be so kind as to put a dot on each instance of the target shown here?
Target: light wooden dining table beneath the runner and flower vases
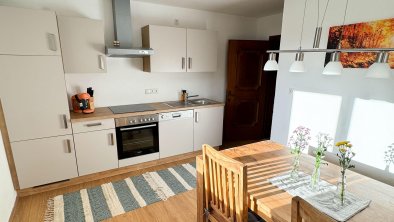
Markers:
(267, 159)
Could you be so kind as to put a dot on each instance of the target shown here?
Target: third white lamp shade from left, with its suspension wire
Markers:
(334, 67)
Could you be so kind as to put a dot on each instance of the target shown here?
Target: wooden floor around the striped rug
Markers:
(181, 207)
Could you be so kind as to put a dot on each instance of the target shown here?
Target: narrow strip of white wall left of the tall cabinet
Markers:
(7, 192)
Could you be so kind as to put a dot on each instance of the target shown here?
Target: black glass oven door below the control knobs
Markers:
(137, 140)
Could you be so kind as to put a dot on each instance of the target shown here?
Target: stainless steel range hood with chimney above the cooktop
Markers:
(123, 33)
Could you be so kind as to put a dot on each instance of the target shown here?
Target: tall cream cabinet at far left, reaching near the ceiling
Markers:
(34, 98)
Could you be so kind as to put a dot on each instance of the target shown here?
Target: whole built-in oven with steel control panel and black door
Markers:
(137, 136)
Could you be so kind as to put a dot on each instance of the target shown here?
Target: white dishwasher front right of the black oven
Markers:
(175, 133)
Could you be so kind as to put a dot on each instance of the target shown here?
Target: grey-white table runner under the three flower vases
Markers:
(323, 199)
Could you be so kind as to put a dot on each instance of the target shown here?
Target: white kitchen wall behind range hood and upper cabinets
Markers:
(125, 81)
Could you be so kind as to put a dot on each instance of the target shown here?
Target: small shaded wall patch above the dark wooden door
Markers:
(269, 25)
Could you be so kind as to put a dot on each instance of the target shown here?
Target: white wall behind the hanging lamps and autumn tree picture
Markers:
(350, 86)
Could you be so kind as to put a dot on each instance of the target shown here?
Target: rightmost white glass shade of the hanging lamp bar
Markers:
(380, 69)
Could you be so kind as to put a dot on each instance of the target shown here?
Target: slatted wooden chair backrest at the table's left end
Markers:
(224, 187)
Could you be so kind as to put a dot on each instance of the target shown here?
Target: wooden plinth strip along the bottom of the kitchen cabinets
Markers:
(104, 174)
